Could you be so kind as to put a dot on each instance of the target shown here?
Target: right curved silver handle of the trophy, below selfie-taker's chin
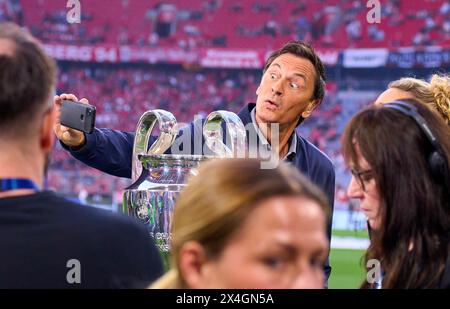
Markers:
(212, 131)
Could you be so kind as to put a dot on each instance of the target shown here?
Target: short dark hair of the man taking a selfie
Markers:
(303, 50)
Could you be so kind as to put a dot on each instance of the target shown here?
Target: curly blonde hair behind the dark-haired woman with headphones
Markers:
(435, 93)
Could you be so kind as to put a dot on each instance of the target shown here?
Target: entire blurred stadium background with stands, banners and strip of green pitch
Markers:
(194, 57)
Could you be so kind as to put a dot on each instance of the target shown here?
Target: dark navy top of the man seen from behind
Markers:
(47, 241)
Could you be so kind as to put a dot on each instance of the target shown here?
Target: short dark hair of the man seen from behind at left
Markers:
(27, 79)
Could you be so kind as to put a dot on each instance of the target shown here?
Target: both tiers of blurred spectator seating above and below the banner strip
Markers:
(123, 91)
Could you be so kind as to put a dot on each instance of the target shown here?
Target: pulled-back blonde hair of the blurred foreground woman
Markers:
(216, 202)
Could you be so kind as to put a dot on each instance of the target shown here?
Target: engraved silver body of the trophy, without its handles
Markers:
(151, 198)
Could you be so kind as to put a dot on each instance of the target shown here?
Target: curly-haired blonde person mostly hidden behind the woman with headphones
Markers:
(435, 94)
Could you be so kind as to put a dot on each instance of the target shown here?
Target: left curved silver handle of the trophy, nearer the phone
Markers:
(167, 135)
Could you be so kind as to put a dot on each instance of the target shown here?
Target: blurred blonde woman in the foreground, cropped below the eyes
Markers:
(239, 226)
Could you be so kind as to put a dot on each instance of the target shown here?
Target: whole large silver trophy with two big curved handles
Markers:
(158, 178)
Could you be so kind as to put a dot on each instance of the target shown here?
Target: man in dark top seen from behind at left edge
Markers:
(47, 241)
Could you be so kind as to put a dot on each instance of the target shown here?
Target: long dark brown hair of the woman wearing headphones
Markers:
(412, 243)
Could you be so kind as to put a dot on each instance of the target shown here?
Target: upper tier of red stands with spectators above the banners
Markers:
(236, 23)
